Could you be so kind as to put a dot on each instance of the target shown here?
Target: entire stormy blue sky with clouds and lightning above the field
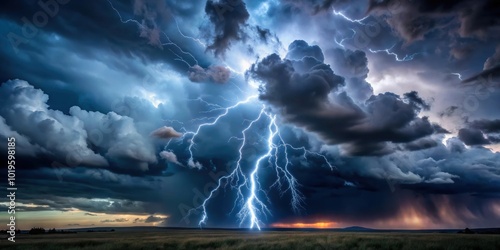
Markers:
(252, 114)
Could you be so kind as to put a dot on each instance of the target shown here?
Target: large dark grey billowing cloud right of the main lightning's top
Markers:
(305, 92)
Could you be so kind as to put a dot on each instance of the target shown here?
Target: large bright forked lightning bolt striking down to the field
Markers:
(250, 195)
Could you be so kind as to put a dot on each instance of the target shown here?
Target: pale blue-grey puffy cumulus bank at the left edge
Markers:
(80, 138)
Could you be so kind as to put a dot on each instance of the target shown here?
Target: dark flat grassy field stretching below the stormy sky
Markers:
(194, 239)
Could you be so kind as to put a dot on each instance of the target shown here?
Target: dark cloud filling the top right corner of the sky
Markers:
(413, 20)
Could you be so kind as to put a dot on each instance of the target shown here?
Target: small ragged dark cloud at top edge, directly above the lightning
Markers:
(228, 17)
